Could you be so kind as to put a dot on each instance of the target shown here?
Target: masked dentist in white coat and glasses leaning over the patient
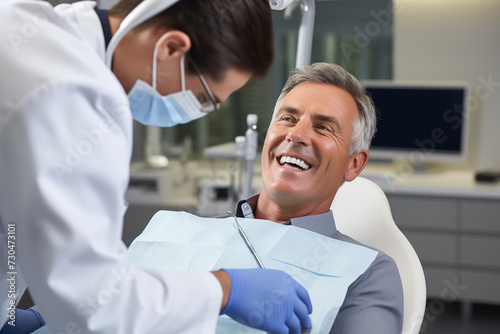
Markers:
(73, 77)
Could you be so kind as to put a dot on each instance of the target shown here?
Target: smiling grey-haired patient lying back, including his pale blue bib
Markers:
(319, 137)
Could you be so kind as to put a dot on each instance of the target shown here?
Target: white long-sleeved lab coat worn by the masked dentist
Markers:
(65, 147)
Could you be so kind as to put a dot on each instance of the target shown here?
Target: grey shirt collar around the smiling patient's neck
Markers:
(323, 223)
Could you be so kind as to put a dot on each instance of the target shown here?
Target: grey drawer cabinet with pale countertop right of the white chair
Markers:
(453, 223)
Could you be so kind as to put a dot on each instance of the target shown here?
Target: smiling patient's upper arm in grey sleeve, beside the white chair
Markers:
(374, 302)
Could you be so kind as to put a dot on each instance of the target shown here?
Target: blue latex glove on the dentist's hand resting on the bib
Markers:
(269, 300)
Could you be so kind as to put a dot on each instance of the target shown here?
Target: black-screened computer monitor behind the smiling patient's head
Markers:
(420, 122)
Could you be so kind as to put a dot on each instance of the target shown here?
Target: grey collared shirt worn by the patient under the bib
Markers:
(374, 302)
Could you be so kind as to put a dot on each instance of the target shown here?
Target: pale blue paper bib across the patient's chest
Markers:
(179, 241)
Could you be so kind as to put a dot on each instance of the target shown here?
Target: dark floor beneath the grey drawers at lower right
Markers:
(447, 319)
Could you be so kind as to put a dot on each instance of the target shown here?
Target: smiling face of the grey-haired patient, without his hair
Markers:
(314, 124)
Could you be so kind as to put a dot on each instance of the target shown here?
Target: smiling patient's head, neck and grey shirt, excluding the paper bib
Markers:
(319, 137)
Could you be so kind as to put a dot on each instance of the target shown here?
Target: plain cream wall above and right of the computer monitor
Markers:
(456, 40)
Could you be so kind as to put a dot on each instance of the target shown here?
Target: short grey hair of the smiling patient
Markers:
(365, 125)
